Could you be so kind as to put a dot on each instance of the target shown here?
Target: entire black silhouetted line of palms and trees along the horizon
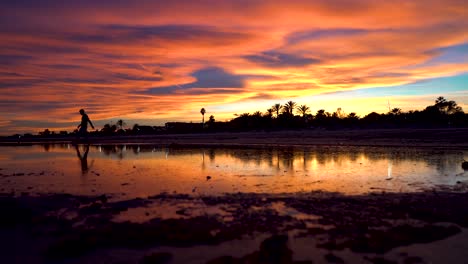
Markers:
(442, 114)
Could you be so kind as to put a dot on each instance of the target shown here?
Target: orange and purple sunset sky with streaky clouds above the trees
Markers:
(151, 62)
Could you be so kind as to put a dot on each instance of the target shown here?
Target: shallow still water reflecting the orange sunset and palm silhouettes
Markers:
(132, 170)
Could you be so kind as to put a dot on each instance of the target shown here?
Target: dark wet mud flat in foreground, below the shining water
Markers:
(317, 227)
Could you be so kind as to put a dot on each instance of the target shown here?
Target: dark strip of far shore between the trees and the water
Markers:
(455, 138)
